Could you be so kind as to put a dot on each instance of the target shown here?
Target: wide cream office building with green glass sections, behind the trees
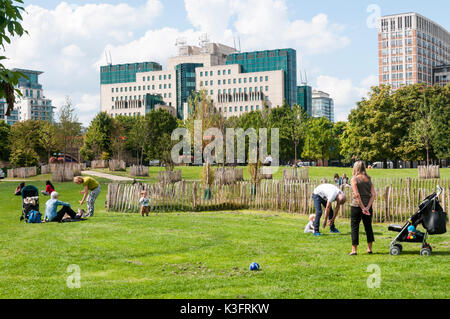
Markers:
(236, 82)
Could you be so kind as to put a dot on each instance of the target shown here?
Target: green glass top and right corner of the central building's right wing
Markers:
(271, 60)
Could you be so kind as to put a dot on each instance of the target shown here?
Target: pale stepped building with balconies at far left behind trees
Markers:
(33, 105)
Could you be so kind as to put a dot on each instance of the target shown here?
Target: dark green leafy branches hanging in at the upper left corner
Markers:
(10, 26)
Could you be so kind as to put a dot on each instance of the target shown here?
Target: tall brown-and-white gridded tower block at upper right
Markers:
(409, 47)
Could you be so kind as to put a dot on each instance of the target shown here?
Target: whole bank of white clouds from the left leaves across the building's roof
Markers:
(68, 42)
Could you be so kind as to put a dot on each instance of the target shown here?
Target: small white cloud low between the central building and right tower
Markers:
(344, 93)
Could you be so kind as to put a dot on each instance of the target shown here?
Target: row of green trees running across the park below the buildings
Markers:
(411, 123)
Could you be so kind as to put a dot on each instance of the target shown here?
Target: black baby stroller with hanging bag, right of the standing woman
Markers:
(431, 216)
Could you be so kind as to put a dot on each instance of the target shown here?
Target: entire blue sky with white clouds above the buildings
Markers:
(336, 41)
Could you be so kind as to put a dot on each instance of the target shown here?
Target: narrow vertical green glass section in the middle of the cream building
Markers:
(185, 74)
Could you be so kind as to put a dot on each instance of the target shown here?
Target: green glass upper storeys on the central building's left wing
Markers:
(125, 73)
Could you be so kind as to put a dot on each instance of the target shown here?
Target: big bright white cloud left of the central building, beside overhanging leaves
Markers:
(66, 41)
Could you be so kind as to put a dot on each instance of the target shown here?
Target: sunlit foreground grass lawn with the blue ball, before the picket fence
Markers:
(203, 255)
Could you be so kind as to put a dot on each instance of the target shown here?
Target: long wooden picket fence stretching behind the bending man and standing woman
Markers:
(396, 199)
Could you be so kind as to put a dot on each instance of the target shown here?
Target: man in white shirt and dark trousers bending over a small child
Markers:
(325, 195)
